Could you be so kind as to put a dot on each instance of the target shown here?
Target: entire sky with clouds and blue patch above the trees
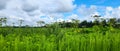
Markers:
(49, 11)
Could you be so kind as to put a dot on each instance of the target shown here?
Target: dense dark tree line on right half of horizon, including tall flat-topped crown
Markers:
(98, 21)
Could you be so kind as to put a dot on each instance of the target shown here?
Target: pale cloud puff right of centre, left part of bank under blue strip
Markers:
(86, 12)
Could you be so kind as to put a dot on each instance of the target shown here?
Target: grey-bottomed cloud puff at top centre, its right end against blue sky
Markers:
(58, 6)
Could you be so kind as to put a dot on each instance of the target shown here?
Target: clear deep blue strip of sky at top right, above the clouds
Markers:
(113, 3)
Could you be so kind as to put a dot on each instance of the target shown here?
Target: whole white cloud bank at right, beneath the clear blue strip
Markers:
(105, 12)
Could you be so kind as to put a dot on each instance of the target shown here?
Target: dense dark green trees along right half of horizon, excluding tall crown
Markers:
(88, 24)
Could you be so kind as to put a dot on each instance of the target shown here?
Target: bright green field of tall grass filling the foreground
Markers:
(59, 39)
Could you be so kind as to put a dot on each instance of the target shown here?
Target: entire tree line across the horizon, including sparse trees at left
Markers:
(109, 22)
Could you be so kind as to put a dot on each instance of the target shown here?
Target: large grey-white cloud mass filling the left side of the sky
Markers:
(32, 10)
